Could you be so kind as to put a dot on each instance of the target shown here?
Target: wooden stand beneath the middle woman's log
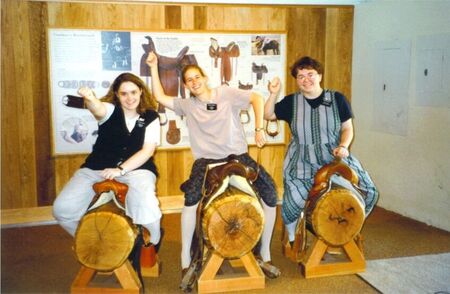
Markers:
(208, 283)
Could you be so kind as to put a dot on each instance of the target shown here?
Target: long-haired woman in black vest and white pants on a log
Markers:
(128, 134)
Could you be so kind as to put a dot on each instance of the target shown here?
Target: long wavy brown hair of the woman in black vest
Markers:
(147, 102)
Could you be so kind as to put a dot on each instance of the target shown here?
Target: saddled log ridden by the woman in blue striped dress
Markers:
(335, 209)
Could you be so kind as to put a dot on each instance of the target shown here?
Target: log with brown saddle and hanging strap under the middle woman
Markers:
(230, 218)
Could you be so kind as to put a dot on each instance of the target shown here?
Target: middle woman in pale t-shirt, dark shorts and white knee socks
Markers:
(215, 133)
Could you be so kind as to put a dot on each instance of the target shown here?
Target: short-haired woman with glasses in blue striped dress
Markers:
(320, 121)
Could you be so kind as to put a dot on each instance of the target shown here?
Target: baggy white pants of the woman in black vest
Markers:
(141, 203)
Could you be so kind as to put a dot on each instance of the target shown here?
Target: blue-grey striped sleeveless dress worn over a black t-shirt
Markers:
(315, 133)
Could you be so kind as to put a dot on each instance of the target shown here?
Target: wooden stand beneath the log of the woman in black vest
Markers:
(125, 274)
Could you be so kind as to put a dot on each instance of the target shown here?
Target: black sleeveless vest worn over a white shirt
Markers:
(115, 144)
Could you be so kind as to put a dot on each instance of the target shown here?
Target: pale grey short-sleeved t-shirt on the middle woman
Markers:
(215, 134)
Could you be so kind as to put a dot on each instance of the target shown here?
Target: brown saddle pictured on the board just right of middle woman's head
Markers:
(225, 54)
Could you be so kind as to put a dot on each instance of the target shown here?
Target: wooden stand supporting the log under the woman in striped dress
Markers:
(313, 267)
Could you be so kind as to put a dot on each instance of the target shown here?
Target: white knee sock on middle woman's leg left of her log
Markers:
(188, 220)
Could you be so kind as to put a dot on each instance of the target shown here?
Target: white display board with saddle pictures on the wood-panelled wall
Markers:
(95, 58)
